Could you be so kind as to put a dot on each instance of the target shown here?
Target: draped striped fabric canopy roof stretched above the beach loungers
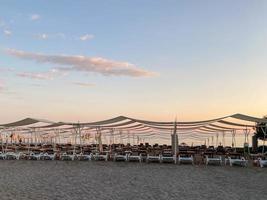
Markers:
(123, 126)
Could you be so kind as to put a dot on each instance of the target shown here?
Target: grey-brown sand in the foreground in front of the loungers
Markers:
(108, 180)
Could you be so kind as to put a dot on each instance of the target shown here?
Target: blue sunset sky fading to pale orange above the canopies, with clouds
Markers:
(93, 60)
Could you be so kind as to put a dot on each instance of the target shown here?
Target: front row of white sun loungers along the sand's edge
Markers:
(129, 156)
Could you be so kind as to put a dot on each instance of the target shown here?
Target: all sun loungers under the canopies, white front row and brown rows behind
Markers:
(137, 153)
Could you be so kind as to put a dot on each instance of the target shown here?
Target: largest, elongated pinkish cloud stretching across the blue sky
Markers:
(85, 64)
